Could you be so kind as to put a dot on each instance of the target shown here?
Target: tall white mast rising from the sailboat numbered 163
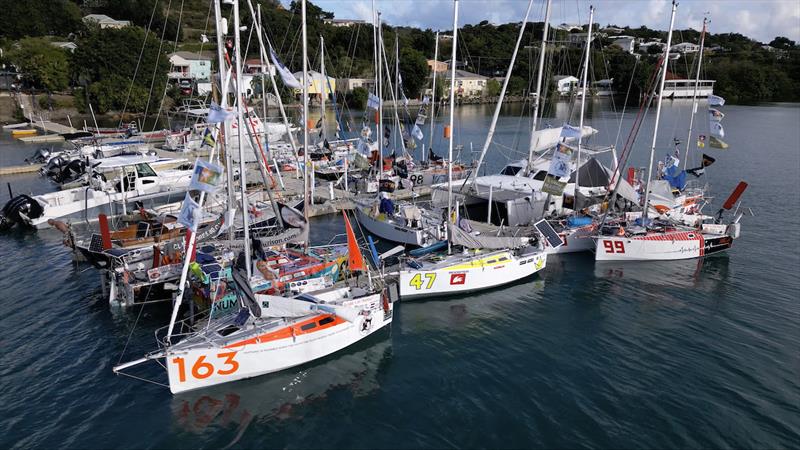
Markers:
(237, 54)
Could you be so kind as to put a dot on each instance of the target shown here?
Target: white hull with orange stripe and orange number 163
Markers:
(276, 349)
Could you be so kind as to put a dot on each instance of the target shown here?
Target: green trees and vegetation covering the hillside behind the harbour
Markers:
(103, 70)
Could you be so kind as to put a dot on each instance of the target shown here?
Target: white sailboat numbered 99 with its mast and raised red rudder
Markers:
(635, 237)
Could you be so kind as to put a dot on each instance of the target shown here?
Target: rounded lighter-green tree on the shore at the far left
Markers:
(43, 66)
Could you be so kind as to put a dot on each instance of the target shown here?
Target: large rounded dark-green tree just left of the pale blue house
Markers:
(107, 61)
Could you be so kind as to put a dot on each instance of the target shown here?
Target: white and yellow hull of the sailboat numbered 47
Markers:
(459, 275)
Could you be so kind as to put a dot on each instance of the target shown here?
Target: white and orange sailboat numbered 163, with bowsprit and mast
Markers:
(269, 333)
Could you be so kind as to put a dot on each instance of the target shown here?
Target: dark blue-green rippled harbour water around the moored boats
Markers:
(700, 353)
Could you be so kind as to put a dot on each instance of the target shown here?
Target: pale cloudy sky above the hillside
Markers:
(759, 19)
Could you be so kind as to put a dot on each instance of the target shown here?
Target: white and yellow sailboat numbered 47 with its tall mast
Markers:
(485, 262)
